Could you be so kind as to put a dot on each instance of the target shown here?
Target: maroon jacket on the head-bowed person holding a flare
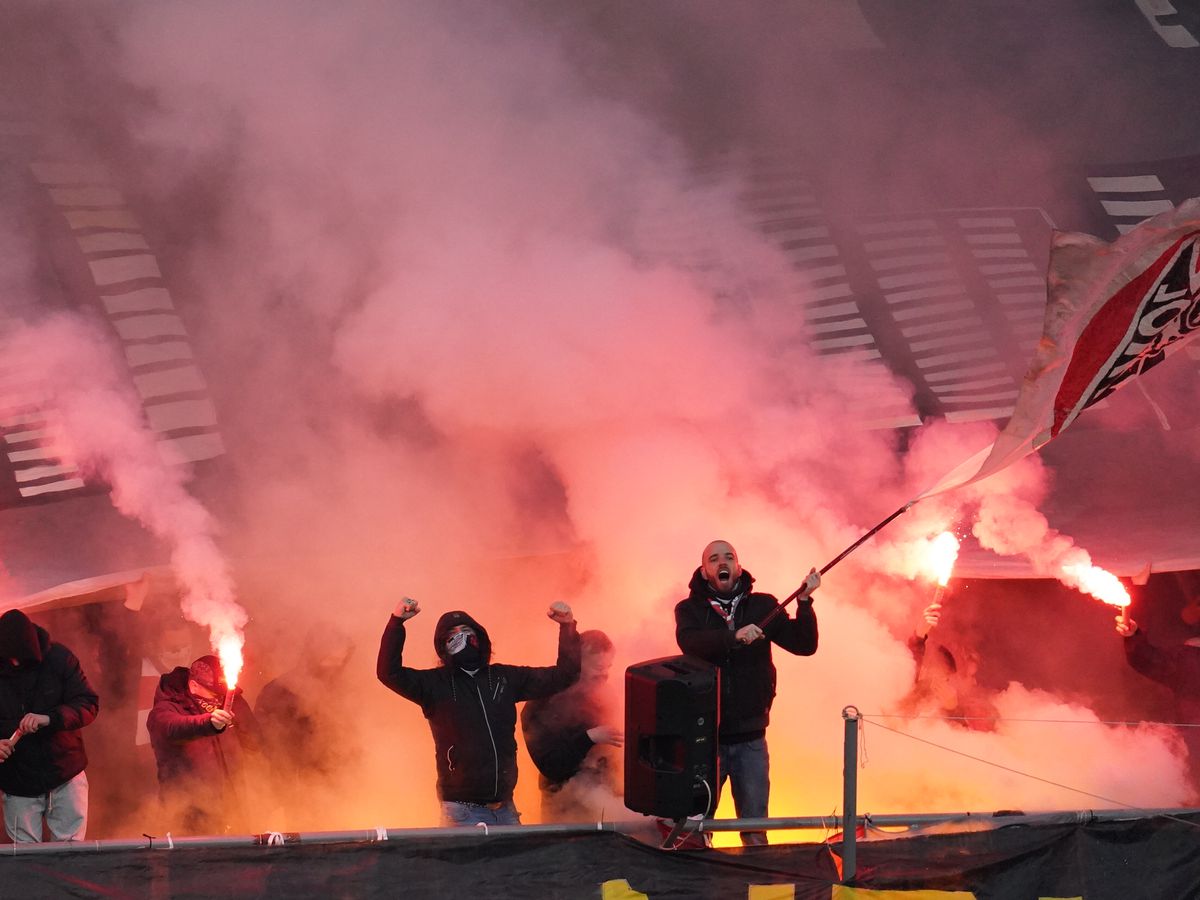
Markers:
(197, 764)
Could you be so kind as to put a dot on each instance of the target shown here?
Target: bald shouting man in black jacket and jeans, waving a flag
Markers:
(721, 622)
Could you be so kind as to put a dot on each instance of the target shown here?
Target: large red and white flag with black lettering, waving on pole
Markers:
(1113, 311)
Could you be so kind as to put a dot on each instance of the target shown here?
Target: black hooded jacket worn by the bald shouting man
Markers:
(748, 674)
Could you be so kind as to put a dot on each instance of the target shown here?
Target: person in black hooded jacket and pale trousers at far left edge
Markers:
(45, 701)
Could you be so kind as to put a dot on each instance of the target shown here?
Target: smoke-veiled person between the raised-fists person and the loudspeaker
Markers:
(569, 740)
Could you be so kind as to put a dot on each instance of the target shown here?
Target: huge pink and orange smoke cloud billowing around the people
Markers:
(489, 327)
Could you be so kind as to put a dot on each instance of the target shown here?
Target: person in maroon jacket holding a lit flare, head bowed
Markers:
(200, 747)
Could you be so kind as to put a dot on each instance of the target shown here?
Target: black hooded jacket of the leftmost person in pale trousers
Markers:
(50, 682)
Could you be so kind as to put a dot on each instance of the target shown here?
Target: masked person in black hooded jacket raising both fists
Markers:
(472, 707)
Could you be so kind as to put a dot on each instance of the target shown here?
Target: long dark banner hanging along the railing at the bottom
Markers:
(1102, 861)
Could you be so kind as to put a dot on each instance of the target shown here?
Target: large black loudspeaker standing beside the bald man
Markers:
(671, 764)
